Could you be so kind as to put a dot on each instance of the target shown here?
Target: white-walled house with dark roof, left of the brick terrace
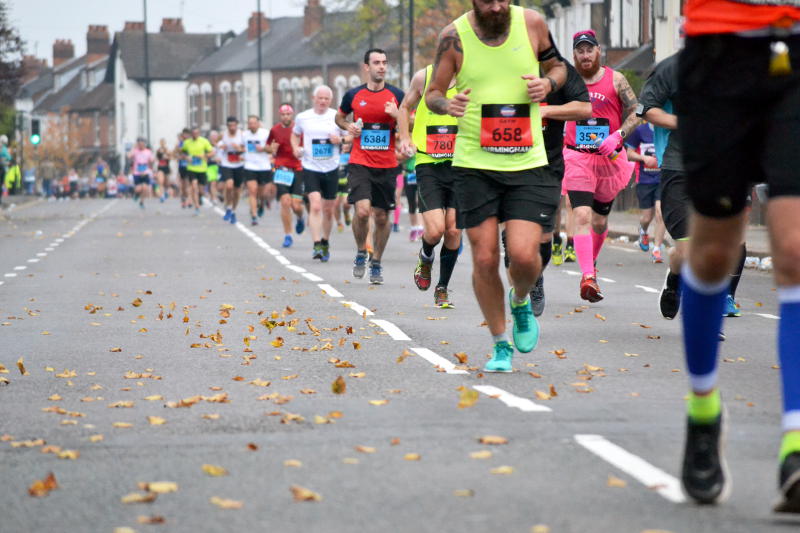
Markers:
(171, 53)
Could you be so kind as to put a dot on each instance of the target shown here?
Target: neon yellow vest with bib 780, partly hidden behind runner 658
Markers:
(434, 135)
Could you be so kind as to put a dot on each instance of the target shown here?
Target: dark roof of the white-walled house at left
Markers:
(170, 55)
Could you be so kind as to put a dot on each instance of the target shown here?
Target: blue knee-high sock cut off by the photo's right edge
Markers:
(789, 353)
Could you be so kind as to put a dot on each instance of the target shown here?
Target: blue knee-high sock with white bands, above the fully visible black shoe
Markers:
(701, 311)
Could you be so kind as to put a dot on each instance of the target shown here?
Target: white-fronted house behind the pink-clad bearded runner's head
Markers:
(624, 29)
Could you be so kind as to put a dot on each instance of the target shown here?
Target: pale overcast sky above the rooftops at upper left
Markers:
(43, 21)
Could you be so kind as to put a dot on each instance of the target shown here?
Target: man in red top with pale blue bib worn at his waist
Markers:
(288, 177)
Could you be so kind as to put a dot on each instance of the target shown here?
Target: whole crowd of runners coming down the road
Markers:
(492, 145)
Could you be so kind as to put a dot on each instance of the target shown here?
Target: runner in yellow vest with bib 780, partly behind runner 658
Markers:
(433, 139)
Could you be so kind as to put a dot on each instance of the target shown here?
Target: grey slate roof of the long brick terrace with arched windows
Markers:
(280, 49)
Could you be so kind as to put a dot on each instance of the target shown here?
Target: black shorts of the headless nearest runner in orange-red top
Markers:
(738, 123)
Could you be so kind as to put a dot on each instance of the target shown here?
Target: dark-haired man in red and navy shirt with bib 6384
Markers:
(373, 162)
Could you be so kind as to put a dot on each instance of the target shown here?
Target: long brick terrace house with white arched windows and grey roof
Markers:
(293, 64)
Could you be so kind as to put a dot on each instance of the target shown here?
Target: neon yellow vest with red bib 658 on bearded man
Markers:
(501, 129)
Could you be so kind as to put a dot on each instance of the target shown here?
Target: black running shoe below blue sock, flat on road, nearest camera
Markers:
(705, 476)
